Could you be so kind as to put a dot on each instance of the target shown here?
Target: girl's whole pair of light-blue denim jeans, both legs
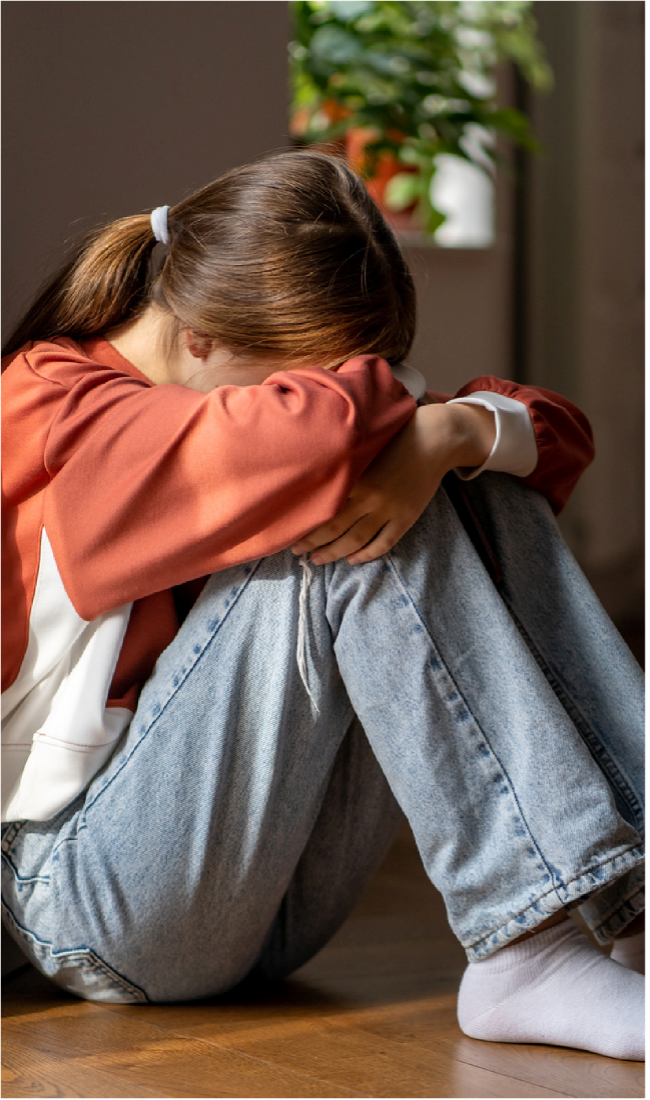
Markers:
(258, 786)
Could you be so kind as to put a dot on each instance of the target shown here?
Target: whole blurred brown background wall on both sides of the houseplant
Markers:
(112, 107)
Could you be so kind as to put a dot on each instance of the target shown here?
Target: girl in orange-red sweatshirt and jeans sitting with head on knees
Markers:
(227, 416)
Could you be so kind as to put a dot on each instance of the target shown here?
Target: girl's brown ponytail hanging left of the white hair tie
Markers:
(102, 285)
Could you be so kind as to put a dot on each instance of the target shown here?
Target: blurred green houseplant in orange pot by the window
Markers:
(402, 82)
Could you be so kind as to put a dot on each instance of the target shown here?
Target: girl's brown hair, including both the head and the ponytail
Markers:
(288, 256)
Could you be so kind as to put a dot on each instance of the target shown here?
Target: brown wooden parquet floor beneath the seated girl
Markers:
(372, 1016)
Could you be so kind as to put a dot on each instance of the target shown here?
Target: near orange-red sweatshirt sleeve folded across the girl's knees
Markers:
(151, 487)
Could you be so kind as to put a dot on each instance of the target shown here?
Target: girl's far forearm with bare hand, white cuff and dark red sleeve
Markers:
(549, 448)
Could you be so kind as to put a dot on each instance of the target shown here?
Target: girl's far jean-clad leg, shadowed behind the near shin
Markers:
(585, 659)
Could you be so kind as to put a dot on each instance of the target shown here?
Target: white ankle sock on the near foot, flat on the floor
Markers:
(556, 988)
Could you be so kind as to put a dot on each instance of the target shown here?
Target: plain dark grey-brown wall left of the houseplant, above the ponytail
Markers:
(111, 107)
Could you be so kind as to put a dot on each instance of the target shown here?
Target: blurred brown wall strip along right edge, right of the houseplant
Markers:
(587, 329)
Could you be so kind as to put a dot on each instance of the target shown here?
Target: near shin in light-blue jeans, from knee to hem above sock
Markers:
(475, 741)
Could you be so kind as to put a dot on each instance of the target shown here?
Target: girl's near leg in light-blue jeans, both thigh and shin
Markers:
(465, 725)
